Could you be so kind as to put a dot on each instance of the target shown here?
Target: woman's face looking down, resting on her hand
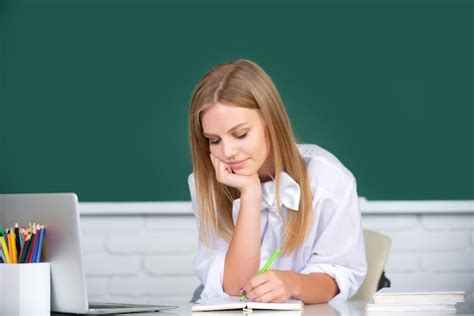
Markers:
(238, 137)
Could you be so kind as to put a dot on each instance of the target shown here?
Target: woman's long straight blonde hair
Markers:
(243, 83)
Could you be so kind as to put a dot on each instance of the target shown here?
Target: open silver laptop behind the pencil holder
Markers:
(58, 212)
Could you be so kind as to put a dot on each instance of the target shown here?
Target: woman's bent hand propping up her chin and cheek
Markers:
(225, 175)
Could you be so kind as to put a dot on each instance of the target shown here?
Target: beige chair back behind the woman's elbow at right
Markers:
(377, 248)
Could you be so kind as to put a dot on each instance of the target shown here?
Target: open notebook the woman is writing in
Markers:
(233, 302)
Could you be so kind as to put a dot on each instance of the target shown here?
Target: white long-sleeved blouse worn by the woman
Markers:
(335, 243)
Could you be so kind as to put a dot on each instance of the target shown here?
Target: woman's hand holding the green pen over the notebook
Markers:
(274, 286)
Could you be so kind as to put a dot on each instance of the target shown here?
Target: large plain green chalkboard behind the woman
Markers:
(94, 94)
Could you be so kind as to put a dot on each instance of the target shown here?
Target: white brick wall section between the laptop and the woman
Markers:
(143, 258)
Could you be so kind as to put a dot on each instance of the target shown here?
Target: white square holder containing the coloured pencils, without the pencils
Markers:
(25, 289)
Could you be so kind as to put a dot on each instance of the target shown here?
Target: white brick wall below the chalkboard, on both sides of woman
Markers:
(148, 257)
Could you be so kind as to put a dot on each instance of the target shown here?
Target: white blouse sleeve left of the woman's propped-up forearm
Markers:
(209, 261)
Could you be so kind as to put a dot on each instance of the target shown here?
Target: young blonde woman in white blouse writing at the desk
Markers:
(243, 149)
